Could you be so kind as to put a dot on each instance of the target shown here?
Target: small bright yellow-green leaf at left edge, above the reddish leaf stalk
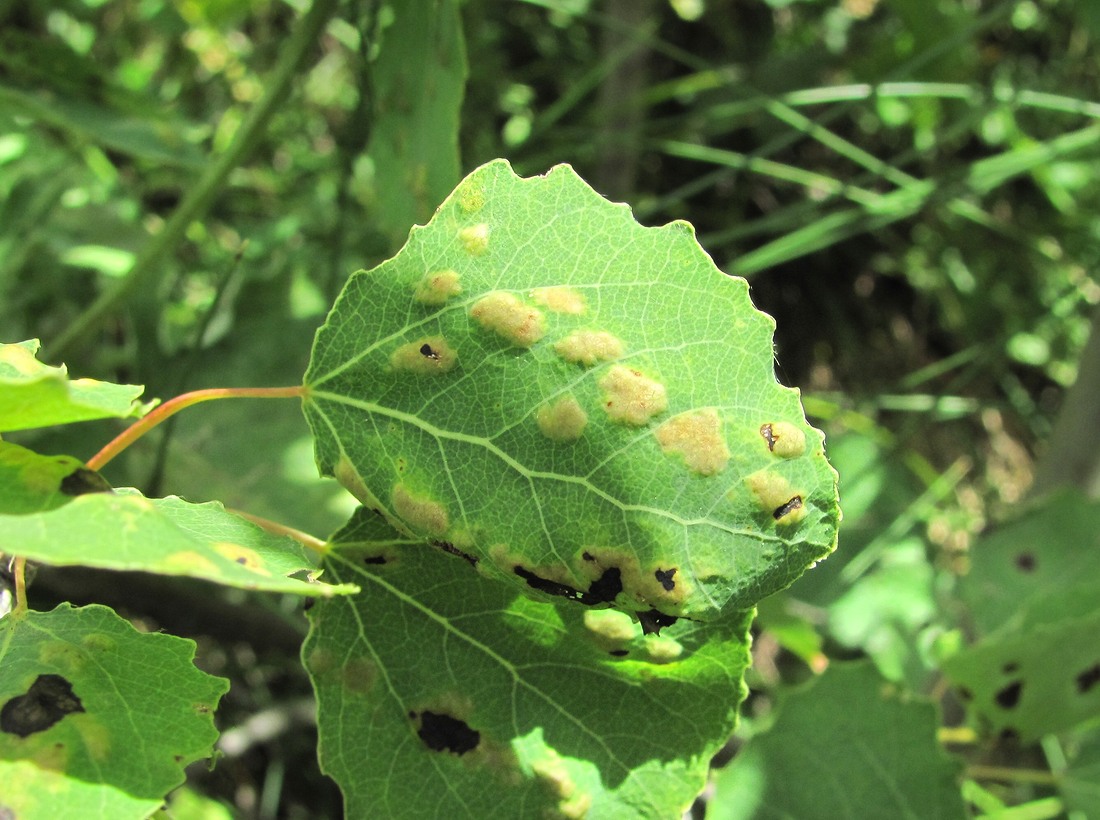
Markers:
(34, 395)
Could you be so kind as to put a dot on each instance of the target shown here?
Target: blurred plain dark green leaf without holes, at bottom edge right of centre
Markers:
(849, 747)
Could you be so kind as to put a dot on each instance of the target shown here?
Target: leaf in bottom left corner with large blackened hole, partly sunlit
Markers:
(97, 716)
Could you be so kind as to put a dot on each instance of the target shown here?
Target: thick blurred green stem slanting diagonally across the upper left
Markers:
(201, 198)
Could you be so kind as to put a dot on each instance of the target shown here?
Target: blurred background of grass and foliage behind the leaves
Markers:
(910, 187)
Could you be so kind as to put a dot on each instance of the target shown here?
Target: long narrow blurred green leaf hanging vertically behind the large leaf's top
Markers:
(417, 104)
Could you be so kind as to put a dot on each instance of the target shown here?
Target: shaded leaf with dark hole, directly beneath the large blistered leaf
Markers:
(564, 727)
